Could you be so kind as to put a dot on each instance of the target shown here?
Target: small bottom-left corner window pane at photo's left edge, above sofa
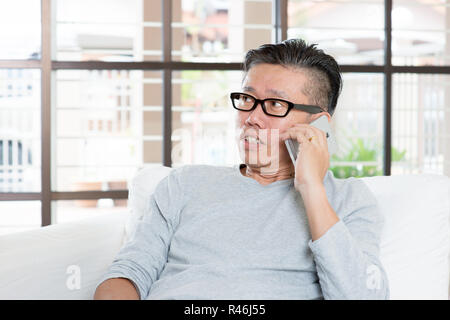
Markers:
(16, 216)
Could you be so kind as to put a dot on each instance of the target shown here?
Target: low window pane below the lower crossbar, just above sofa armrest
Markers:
(72, 210)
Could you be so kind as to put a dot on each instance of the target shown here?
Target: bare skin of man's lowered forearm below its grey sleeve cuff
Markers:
(116, 289)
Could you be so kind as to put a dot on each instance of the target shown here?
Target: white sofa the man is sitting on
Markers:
(65, 261)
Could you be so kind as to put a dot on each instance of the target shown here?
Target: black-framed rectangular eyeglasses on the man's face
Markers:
(270, 106)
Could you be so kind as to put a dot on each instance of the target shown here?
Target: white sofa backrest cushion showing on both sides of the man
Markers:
(414, 241)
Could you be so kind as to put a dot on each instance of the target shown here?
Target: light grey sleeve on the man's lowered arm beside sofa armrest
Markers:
(143, 257)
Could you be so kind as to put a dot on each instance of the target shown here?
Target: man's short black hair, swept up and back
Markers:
(322, 69)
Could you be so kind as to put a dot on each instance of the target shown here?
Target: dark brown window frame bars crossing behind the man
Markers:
(47, 66)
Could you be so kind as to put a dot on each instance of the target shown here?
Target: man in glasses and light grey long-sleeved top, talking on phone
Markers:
(265, 229)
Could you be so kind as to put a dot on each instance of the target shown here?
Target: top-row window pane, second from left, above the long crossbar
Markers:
(119, 30)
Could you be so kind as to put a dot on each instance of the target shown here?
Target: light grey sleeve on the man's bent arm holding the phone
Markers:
(347, 255)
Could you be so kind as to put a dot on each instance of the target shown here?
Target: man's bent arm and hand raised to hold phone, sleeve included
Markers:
(346, 252)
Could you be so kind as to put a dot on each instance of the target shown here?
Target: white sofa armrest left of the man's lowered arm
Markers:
(62, 261)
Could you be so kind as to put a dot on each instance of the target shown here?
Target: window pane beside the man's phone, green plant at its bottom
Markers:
(358, 127)
